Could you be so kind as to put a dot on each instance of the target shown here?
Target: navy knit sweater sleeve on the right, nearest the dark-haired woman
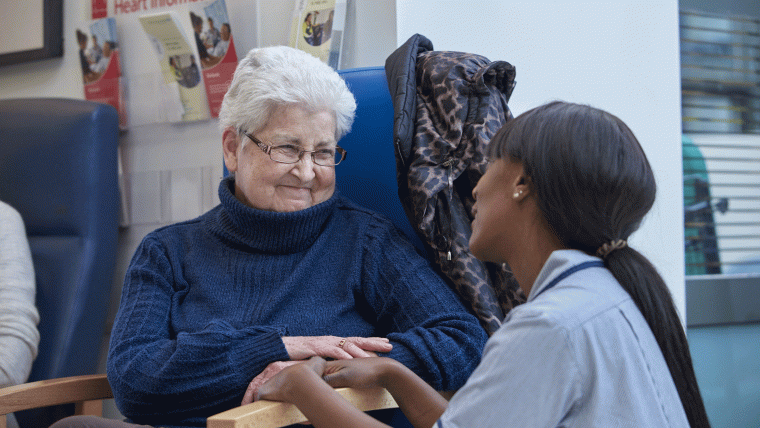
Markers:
(431, 331)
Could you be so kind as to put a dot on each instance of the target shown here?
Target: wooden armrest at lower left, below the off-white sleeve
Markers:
(44, 393)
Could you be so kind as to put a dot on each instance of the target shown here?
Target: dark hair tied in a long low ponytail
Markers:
(594, 184)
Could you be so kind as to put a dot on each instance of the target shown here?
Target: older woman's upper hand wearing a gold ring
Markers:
(339, 348)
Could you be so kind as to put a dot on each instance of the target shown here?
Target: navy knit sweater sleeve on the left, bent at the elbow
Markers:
(158, 376)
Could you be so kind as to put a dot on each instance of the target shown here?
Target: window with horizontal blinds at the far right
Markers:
(720, 76)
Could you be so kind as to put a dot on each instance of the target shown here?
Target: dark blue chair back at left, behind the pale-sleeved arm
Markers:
(58, 168)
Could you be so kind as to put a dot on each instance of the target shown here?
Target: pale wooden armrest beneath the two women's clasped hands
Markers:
(273, 414)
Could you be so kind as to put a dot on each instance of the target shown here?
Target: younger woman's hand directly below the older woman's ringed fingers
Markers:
(358, 373)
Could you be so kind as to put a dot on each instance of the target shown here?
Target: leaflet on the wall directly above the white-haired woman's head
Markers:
(317, 28)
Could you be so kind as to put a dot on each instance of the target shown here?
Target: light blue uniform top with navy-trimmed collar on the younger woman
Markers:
(578, 354)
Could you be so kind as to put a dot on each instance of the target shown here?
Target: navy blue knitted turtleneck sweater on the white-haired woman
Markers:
(206, 302)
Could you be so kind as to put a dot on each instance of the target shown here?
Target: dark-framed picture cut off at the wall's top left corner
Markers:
(32, 30)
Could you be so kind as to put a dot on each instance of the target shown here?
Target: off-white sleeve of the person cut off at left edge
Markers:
(19, 337)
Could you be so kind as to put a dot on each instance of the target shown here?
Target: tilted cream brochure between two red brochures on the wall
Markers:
(179, 67)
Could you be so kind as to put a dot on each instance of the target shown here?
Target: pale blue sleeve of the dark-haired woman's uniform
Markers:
(528, 377)
